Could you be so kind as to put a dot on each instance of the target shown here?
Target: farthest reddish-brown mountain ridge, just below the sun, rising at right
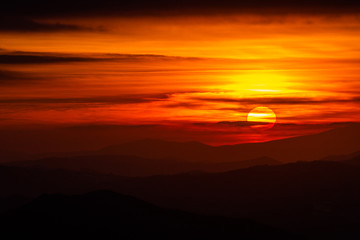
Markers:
(338, 141)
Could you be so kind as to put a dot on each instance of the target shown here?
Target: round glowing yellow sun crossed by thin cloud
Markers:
(261, 118)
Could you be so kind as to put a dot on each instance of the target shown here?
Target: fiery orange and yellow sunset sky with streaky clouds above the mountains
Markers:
(190, 69)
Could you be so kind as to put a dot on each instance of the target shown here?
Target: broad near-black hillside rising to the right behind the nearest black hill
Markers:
(318, 199)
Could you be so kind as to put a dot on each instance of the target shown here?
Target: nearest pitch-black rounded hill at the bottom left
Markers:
(109, 215)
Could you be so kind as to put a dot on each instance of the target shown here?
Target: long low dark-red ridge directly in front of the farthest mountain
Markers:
(136, 166)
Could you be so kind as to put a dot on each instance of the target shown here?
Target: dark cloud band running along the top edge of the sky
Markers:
(56, 8)
